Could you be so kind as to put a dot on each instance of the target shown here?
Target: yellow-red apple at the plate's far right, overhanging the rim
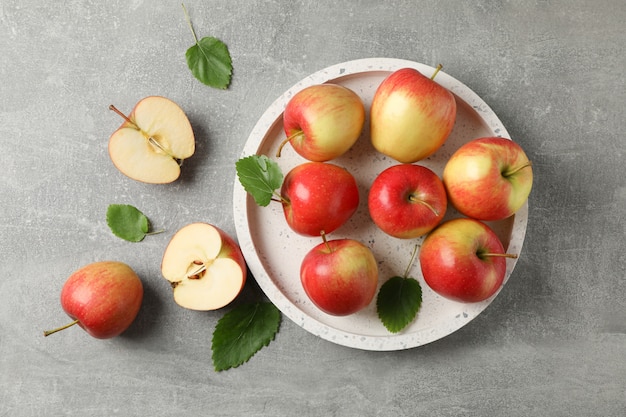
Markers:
(488, 178)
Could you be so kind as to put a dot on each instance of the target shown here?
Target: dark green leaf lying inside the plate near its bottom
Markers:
(398, 301)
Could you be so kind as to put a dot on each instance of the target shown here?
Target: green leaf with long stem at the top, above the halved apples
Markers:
(209, 60)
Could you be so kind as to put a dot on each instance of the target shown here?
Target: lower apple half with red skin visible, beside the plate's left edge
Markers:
(205, 267)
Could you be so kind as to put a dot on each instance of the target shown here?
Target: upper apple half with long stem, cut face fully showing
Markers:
(153, 141)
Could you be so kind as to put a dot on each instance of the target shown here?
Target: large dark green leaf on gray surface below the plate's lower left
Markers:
(242, 332)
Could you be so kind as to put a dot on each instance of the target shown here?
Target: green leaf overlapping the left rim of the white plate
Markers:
(260, 176)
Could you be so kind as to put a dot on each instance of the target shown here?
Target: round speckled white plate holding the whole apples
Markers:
(274, 252)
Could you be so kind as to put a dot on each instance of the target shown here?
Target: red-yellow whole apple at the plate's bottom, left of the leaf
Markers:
(340, 276)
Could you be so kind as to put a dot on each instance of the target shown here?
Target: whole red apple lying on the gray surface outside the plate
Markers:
(103, 298)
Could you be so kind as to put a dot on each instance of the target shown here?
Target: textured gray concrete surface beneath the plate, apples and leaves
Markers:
(553, 342)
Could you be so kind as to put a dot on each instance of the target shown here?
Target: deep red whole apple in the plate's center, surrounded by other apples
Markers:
(407, 201)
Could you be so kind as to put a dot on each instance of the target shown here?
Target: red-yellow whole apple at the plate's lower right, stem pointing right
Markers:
(455, 264)
